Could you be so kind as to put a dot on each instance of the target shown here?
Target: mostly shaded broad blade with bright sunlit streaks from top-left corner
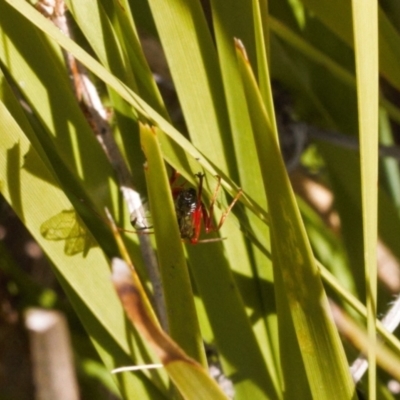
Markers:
(61, 129)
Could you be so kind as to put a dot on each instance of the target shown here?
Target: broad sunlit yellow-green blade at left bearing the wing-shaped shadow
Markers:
(33, 192)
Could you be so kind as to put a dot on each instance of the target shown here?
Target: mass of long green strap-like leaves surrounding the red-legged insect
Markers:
(257, 295)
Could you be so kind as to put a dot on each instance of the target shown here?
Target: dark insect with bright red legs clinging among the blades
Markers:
(191, 211)
